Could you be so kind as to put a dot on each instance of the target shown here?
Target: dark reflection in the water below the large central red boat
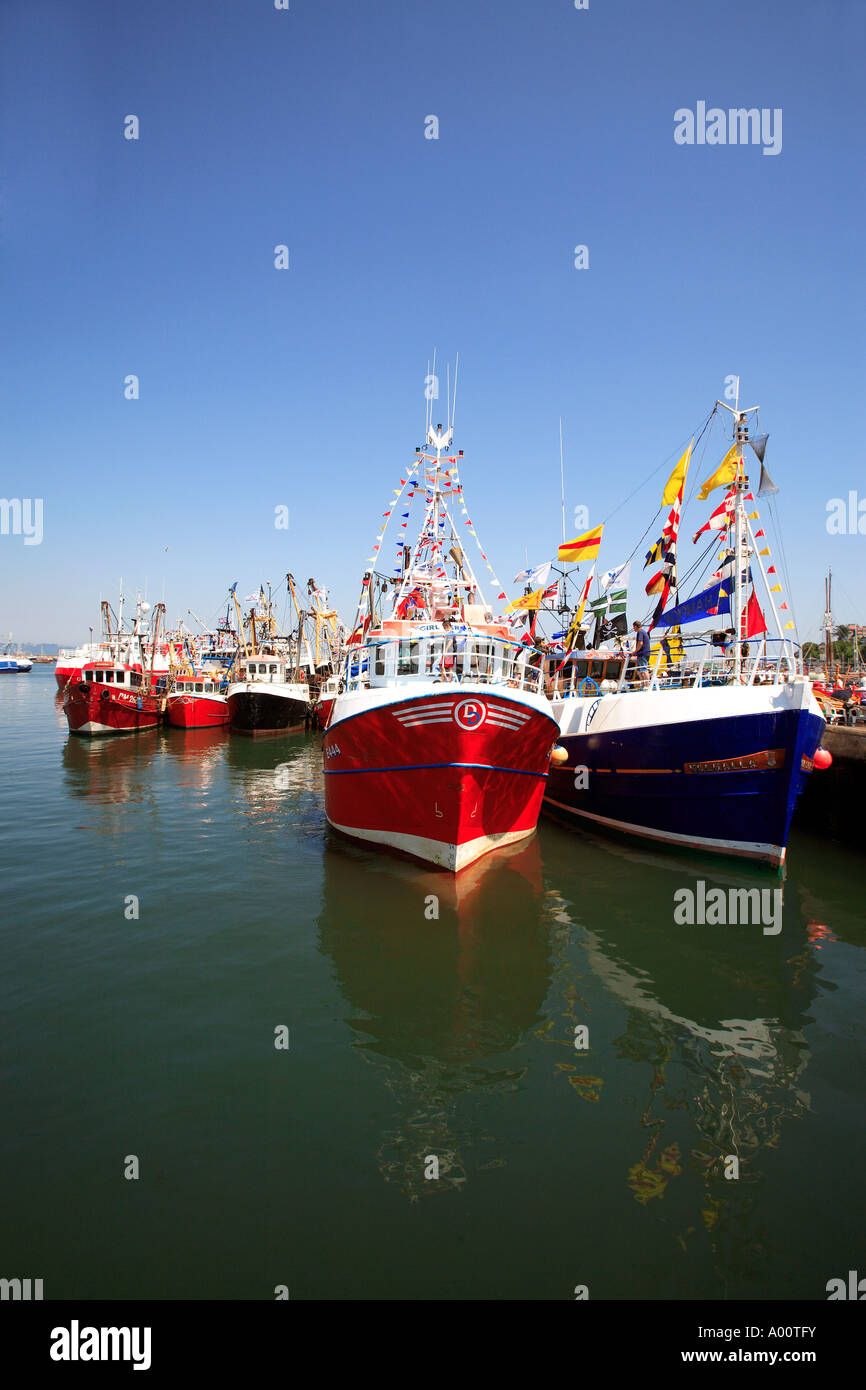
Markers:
(440, 1001)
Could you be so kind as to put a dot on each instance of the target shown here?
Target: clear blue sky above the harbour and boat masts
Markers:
(305, 387)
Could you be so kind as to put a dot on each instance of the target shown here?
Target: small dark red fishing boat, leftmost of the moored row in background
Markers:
(120, 694)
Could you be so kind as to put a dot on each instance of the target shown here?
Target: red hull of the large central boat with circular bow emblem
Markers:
(446, 778)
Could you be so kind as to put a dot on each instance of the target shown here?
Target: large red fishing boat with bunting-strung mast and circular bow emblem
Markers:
(440, 740)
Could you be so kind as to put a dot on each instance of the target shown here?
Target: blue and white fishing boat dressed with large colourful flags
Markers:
(711, 744)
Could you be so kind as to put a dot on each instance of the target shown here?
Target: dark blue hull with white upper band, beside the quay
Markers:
(715, 771)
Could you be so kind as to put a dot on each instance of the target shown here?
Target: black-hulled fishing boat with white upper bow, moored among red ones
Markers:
(270, 693)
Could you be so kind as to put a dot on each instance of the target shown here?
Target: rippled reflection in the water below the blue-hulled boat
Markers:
(715, 1021)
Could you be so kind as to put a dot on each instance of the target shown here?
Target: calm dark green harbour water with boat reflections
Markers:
(174, 900)
